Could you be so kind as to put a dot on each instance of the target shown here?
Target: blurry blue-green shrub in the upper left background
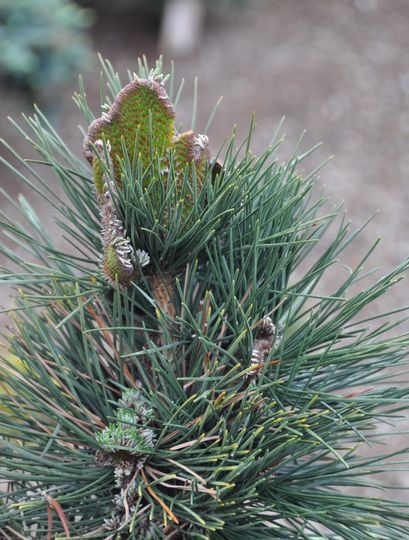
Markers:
(42, 42)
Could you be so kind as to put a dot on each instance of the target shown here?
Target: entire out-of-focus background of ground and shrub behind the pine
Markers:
(338, 68)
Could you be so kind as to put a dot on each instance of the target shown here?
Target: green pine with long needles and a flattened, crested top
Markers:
(170, 375)
